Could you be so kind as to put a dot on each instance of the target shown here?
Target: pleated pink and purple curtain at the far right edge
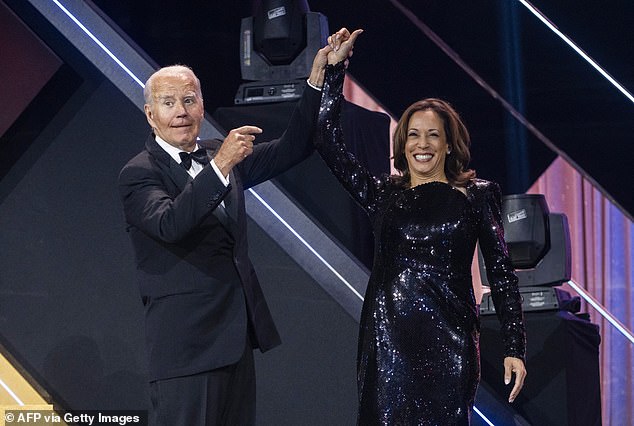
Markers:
(602, 239)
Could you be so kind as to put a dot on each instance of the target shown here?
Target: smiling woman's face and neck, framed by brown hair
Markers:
(426, 147)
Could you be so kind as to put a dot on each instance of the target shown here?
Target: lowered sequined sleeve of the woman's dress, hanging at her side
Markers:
(503, 281)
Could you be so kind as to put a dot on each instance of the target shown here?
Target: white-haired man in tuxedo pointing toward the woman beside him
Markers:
(184, 205)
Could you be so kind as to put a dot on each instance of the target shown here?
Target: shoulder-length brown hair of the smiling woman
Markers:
(457, 139)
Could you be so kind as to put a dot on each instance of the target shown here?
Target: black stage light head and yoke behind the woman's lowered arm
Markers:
(538, 241)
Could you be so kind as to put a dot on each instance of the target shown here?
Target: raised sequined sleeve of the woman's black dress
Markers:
(354, 176)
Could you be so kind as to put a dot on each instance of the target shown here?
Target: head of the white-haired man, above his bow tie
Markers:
(176, 108)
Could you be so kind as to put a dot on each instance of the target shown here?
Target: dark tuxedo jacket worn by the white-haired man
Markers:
(197, 284)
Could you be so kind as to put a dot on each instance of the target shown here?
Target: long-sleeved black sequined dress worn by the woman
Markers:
(418, 359)
